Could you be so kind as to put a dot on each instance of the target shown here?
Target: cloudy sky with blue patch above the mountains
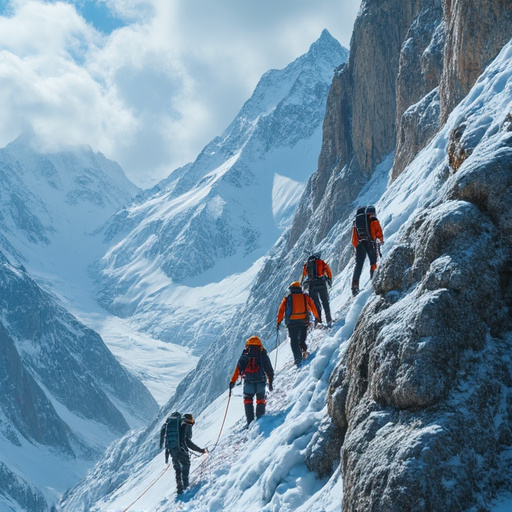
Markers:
(146, 82)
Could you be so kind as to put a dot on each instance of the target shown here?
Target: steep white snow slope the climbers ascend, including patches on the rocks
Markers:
(268, 470)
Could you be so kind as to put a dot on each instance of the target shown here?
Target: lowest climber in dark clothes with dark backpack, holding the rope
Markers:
(176, 435)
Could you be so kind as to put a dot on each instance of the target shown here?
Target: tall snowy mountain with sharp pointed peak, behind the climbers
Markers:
(178, 246)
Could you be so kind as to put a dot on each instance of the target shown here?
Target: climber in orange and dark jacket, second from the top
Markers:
(318, 276)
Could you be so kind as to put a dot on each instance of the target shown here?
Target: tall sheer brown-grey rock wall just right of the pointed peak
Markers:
(360, 123)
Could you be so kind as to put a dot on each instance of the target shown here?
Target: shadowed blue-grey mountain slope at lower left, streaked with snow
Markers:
(64, 397)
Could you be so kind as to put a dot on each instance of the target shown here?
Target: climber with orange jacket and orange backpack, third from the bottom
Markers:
(295, 308)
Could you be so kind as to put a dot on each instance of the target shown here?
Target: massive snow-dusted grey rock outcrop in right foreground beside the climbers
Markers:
(422, 397)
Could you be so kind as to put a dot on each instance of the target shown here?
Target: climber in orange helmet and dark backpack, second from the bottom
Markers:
(255, 368)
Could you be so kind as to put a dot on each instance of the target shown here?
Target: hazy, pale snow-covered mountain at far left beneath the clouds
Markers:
(52, 204)
